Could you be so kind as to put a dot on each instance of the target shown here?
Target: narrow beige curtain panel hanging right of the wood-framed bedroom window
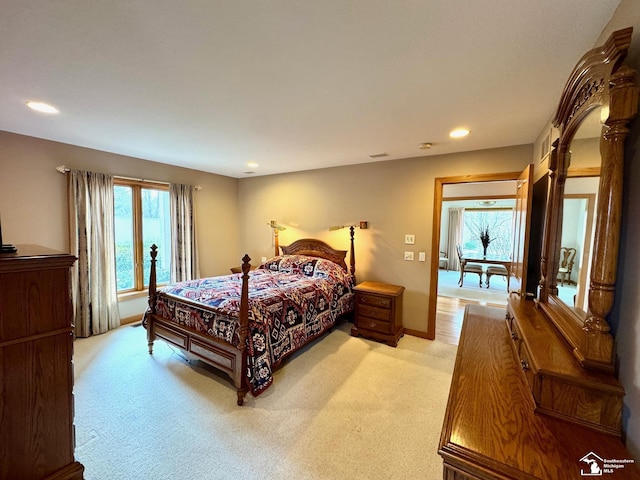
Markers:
(184, 249)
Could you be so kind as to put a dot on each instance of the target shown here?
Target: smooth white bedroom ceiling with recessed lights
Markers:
(289, 84)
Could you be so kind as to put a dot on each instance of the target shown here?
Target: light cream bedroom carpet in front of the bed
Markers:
(344, 407)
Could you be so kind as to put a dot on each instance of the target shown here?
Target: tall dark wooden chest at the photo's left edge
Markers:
(36, 371)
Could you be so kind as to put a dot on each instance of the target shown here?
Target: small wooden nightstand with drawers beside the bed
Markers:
(378, 312)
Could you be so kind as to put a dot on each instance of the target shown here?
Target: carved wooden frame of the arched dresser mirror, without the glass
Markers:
(599, 80)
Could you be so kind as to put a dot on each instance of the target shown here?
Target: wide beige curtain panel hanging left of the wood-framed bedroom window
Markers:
(93, 277)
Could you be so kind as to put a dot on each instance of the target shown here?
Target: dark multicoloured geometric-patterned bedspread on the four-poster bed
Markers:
(292, 299)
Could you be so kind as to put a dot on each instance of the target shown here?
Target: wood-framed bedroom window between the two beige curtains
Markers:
(142, 218)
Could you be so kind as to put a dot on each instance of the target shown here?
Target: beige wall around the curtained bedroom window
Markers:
(33, 199)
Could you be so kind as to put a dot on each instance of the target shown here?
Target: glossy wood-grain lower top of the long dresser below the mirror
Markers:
(491, 429)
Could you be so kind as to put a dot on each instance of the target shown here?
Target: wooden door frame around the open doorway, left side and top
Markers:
(435, 240)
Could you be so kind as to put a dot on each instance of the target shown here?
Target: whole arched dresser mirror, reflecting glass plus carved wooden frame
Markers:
(601, 96)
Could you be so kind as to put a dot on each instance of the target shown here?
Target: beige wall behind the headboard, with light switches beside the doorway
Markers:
(395, 197)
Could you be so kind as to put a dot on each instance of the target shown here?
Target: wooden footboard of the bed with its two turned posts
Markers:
(222, 355)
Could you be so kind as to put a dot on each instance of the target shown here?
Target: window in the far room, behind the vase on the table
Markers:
(497, 221)
